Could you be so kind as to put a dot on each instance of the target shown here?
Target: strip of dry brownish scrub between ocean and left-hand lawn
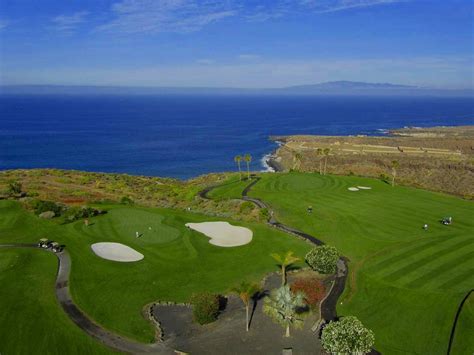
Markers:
(79, 188)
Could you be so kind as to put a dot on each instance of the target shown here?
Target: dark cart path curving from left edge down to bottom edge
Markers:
(106, 337)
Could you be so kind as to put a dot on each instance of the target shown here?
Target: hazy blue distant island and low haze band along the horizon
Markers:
(333, 88)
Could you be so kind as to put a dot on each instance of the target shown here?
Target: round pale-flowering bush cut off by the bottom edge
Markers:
(347, 336)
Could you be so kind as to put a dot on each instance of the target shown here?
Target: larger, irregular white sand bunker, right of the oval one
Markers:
(223, 234)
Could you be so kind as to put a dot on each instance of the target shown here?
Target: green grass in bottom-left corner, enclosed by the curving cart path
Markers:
(31, 320)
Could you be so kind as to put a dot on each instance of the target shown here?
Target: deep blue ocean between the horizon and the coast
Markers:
(183, 136)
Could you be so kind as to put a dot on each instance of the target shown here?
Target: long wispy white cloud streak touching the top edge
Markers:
(182, 16)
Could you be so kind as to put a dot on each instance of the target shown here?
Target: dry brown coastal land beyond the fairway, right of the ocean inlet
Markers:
(438, 158)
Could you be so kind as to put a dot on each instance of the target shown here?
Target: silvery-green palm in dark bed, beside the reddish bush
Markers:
(282, 306)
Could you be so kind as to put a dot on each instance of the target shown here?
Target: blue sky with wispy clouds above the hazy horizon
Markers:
(230, 43)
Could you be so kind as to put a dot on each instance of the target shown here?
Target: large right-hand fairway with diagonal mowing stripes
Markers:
(406, 277)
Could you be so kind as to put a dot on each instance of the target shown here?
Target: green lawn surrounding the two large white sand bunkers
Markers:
(177, 263)
